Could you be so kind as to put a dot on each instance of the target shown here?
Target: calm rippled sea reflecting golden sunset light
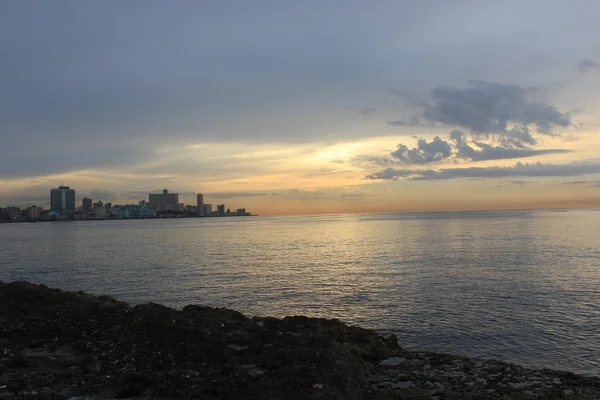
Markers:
(519, 286)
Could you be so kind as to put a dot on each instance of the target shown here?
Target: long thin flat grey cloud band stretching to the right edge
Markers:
(518, 170)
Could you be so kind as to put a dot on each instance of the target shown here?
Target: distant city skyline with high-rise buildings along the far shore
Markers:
(63, 207)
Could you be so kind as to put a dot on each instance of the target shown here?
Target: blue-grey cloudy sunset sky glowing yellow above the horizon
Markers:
(303, 107)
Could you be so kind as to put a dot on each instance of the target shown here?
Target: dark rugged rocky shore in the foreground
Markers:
(71, 345)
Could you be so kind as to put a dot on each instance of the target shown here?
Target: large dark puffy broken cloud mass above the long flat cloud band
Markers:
(499, 122)
